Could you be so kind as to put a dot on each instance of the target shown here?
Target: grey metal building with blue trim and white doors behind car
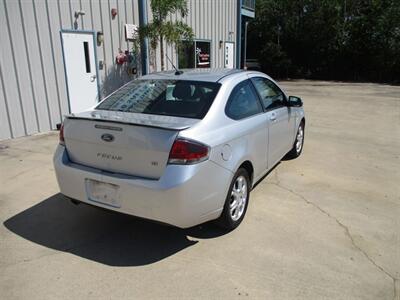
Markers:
(59, 56)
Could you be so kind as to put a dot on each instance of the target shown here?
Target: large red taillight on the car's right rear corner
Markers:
(187, 152)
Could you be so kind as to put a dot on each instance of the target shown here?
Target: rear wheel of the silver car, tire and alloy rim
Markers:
(236, 201)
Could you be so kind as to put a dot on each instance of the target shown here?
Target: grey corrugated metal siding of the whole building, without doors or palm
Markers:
(33, 95)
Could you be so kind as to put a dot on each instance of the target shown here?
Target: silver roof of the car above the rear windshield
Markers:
(210, 75)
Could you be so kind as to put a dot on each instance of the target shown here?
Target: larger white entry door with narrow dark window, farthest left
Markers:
(80, 70)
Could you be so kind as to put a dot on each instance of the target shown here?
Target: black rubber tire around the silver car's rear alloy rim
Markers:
(226, 220)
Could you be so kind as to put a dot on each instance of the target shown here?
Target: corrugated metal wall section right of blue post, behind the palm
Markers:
(210, 20)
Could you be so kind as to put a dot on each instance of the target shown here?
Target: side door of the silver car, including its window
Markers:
(279, 119)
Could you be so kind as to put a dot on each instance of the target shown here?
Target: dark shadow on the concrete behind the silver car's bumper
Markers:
(103, 236)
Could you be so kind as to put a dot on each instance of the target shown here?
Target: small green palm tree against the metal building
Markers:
(160, 30)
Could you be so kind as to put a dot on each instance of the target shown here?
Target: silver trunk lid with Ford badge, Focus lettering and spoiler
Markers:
(120, 142)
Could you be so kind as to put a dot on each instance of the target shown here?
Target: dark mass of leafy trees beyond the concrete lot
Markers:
(328, 39)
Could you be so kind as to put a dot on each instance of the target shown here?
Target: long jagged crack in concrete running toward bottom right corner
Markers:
(396, 296)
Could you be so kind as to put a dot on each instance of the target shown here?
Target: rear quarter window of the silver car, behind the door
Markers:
(243, 102)
